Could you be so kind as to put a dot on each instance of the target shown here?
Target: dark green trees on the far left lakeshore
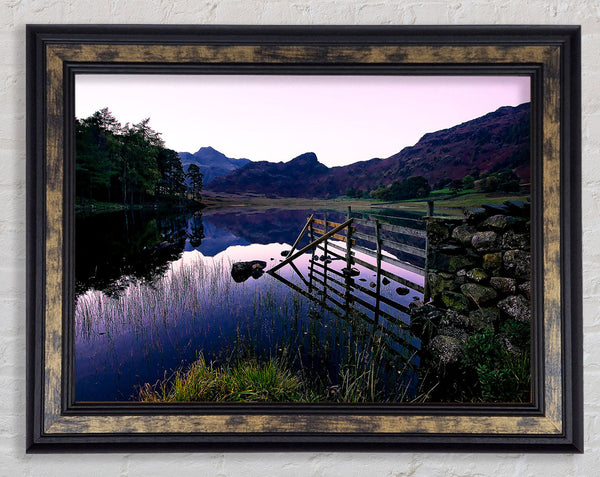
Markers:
(129, 164)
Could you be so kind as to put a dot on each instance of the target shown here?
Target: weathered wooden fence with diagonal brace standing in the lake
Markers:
(355, 241)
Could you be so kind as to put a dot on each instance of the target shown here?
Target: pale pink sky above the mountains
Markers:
(343, 119)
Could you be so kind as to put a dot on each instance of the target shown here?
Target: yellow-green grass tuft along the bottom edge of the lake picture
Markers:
(247, 380)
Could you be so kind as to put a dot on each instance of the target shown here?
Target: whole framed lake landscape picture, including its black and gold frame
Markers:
(304, 237)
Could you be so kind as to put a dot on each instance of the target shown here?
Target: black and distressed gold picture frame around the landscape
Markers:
(549, 55)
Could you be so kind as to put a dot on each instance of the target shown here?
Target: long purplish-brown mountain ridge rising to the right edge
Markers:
(499, 140)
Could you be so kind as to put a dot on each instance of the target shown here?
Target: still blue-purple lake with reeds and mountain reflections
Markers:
(155, 292)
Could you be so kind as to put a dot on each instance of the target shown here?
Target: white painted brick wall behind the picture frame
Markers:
(14, 14)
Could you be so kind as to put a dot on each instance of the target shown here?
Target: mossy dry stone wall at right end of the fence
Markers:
(478, 282)
